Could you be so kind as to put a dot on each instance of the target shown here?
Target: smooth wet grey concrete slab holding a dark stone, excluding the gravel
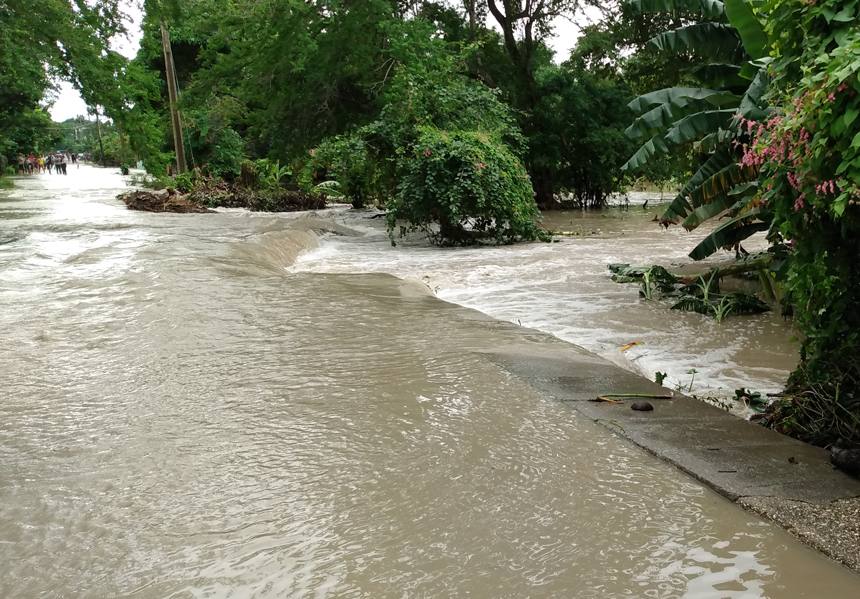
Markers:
(734, 457)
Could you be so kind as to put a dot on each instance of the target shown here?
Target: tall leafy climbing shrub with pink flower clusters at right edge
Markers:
(809, 155)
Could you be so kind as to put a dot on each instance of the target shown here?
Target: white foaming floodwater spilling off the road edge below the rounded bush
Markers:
(565, 288)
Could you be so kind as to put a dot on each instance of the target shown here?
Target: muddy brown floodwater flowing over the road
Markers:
(188, 412)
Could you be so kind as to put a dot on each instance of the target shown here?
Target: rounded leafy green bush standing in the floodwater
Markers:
(442, 156)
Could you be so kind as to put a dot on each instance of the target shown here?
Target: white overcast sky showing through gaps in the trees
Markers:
(69, 103)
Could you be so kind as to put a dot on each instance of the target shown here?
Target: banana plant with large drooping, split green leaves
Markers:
(709, 117)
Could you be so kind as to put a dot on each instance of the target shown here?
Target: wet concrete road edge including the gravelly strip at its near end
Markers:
(788, 482)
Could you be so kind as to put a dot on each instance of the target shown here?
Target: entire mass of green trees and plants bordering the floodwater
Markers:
(459, 121)
